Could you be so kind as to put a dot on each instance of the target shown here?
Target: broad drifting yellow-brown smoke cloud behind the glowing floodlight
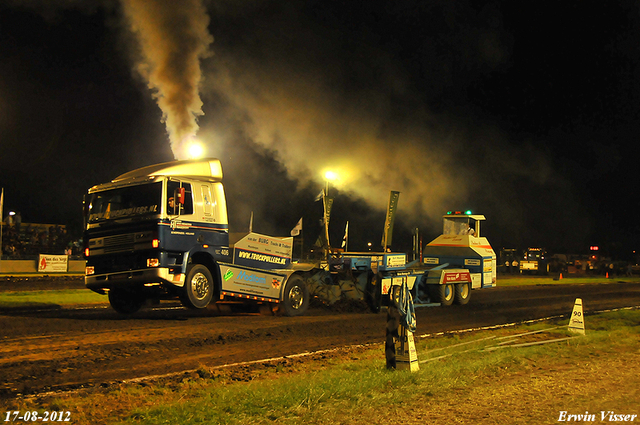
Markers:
(301, 102)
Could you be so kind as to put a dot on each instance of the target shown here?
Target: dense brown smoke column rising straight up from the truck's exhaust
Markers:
(173, 37)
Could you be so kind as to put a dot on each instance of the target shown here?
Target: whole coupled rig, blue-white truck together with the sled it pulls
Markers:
(161, 232)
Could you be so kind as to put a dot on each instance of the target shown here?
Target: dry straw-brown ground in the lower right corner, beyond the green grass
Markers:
(536, 394)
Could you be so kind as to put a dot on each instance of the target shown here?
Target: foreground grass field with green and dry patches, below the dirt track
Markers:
(481, 377)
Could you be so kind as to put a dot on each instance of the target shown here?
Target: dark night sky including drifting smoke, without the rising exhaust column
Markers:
(527, 112)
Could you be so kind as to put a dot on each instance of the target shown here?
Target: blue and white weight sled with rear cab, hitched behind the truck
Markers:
(451, 265)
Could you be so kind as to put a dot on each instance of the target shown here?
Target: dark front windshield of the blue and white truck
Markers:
(125, 202)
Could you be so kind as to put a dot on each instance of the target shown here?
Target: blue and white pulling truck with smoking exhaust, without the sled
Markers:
(162, 232)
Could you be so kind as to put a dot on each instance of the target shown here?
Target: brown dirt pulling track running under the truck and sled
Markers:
(66, 348)
